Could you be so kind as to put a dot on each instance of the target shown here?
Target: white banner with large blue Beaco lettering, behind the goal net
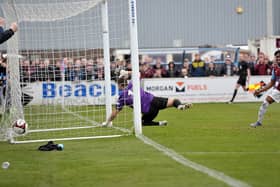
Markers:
(67, 93)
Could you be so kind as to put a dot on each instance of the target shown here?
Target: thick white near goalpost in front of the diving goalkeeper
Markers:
(135, 66)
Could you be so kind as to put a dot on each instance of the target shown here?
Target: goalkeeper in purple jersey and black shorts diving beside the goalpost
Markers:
(150, 104)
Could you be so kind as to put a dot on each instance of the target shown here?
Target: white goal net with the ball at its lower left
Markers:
(61, 72)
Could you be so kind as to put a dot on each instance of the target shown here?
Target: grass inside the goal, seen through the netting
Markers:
(76, 121)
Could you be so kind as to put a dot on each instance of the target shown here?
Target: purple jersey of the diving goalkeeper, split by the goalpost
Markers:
(126, 98)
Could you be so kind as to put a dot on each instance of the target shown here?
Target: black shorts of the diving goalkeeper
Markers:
(158, 103)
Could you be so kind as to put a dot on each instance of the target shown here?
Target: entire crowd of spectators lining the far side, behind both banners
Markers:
(69, 69)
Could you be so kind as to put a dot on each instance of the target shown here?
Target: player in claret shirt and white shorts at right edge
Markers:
(274, 94)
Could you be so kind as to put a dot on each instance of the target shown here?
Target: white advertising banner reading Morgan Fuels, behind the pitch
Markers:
(203, 89)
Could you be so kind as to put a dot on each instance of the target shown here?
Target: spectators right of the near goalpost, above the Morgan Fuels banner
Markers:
(260, 65)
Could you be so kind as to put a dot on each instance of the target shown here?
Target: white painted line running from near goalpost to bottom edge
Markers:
(188, 163)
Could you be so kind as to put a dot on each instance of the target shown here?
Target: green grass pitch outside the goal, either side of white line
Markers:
(217, 136)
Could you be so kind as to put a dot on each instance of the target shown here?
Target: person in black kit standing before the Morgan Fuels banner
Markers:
(244, 77)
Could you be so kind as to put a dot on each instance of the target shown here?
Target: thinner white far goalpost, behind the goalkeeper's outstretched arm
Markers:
(106, 52)
